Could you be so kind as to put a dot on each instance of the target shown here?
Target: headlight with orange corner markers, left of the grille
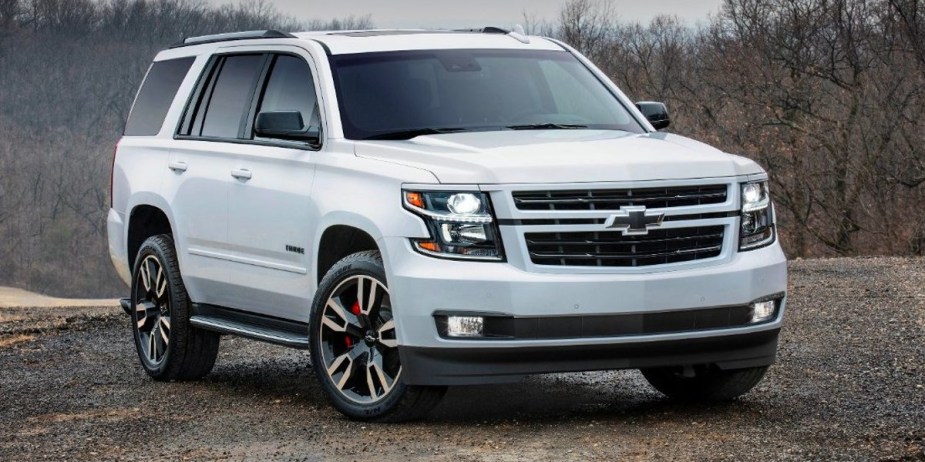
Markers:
(461, 224)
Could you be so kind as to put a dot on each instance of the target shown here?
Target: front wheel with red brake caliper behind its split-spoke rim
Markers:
(354, 346)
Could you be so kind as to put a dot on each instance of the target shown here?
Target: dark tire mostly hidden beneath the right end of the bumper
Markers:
(704, 383)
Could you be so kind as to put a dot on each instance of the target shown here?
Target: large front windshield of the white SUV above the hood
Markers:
(403, 94)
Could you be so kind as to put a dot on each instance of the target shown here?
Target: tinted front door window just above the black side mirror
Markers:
(291, 88)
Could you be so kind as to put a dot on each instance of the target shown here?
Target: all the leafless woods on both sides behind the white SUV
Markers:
(828, 95)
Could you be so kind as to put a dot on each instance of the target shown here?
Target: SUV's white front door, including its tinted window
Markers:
(271, 218)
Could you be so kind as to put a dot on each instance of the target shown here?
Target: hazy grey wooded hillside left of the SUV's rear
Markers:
(69, 70)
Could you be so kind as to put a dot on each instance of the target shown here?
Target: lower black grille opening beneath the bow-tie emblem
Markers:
(612, 248)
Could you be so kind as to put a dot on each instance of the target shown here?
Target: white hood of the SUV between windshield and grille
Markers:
(557, 156)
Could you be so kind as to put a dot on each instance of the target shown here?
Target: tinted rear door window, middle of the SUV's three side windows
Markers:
(232, 95)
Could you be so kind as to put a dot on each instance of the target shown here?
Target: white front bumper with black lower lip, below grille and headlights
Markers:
(423, 286)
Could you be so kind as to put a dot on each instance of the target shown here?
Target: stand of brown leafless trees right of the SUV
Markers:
(826, 94)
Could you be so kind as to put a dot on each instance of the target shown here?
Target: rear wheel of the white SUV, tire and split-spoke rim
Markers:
(169, 348)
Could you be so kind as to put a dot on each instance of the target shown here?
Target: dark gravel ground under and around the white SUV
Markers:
(849, 385)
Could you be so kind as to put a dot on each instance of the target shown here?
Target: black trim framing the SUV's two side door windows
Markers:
(202, 93)
